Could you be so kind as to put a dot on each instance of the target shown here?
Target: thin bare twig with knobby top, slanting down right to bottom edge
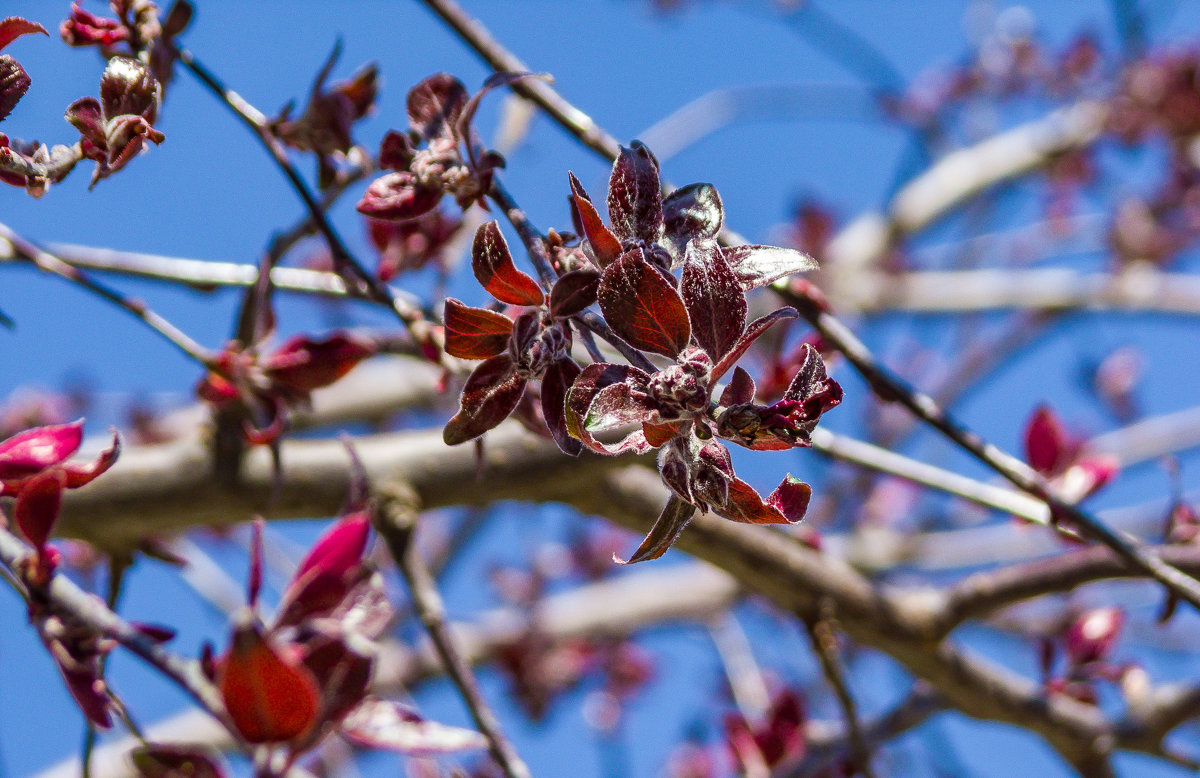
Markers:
(395, 518)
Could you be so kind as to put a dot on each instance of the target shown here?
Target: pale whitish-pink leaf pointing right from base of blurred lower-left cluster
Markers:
(389, 726)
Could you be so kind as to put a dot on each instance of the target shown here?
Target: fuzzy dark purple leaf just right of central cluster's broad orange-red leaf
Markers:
(716, 303)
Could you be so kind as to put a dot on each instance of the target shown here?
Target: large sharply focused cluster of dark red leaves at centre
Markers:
(699, 321)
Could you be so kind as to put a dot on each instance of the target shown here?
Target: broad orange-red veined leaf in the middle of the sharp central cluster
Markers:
(643, 307)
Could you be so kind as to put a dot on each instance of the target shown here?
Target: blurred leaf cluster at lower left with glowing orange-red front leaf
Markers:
(290, 684)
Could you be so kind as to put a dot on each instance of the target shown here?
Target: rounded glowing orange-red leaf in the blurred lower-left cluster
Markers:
(269, 698)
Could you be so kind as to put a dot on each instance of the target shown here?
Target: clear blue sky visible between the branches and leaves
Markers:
(211, 193)
